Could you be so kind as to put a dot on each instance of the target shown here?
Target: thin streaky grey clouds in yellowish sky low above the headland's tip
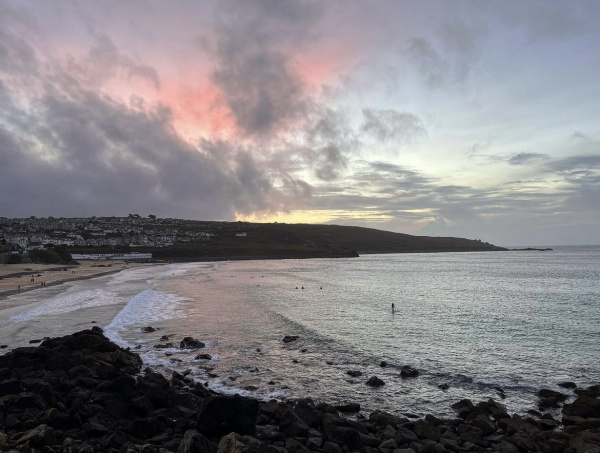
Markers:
(391, 195)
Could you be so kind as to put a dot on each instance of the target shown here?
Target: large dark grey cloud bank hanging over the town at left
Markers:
(100, 156)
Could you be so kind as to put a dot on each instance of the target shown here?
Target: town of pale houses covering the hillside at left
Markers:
(26, 234)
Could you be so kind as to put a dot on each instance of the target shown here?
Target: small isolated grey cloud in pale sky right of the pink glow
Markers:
(388, 125)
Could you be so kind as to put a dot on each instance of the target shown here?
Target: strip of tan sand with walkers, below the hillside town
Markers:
(15, 278)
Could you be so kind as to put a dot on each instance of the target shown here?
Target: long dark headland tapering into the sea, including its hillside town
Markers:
(193, 240)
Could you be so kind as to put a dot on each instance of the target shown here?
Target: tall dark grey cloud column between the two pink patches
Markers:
(254, 74)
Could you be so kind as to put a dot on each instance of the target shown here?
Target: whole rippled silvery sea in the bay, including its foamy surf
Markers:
(497, 325)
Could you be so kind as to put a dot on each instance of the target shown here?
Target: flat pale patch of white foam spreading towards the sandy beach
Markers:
(69, 302)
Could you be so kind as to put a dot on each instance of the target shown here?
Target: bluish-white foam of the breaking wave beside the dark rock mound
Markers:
(147, 307)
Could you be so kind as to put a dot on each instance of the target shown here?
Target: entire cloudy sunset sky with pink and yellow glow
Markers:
(439, 118)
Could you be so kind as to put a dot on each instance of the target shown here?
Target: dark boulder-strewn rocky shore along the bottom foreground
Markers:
(82, 393)
